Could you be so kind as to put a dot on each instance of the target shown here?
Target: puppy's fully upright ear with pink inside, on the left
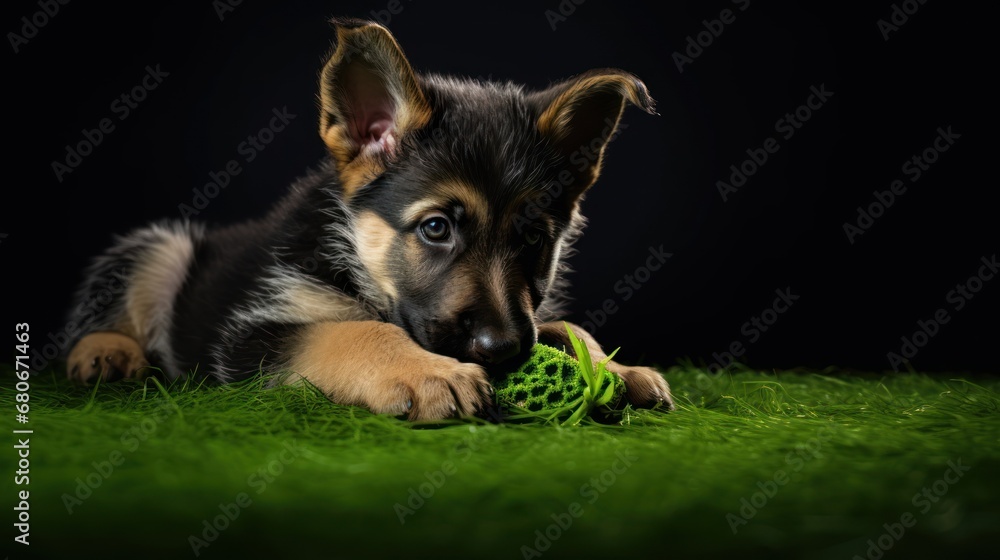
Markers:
(369, 99)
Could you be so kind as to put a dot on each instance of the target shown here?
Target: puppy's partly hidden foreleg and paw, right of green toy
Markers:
(644, 387)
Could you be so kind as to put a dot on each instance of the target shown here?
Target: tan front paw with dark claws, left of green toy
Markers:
(431, 388)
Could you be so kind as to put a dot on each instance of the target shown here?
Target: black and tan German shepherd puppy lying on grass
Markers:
(426, 251)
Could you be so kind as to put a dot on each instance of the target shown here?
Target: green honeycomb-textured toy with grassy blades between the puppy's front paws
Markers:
(551, 384)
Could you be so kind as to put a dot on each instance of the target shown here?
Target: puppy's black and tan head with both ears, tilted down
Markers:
(464, 194)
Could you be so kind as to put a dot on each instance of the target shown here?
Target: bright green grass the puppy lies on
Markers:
(855, 450)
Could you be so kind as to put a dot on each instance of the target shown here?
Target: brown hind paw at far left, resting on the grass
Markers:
(109, 355)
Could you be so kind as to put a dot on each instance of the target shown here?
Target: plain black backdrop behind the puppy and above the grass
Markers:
(782, 229)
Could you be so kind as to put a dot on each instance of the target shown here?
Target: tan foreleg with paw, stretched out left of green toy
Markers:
(377, 365)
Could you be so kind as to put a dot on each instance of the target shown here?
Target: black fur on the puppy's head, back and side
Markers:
(482, 134)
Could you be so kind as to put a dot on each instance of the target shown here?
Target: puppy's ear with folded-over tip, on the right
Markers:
(580, 115)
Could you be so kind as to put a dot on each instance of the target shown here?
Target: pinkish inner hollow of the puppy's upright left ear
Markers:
(372, 112)
